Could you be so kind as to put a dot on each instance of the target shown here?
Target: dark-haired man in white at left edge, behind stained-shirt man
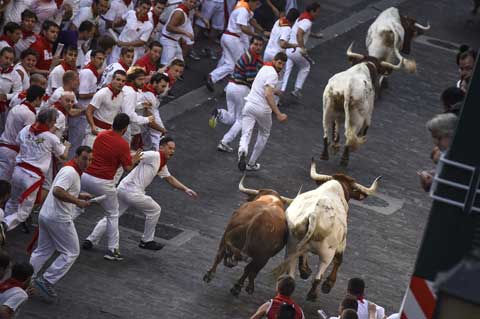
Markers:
(18, 117)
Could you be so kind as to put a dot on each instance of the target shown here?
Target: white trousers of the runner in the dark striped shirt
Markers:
(236, 94)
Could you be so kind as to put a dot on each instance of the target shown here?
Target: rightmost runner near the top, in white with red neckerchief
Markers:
(301, 31)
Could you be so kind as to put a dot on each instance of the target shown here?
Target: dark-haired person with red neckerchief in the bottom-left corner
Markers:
(13, 292)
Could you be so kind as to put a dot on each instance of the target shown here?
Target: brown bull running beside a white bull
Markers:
(256, 232)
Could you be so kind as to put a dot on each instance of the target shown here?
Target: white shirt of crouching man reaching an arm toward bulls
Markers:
(144, 173)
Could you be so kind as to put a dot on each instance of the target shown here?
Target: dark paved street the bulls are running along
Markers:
(382, 242)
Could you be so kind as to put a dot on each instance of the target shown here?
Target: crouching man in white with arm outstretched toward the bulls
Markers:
(131, 193)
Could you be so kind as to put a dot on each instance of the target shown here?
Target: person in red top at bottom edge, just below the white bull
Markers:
(285, 289)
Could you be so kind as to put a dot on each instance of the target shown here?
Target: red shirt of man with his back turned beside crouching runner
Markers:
(110, 151)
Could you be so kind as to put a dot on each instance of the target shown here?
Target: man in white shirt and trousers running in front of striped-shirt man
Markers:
(258, 108)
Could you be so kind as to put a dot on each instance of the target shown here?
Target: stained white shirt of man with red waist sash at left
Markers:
(37, 150)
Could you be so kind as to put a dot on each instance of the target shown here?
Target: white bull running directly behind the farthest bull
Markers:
(349, 97)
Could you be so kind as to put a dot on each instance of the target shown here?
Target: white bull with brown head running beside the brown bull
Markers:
(317, 223)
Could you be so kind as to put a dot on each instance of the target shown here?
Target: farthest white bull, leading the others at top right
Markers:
(392, 33)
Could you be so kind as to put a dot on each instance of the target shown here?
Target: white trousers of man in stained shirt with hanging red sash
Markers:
(15, 211)
